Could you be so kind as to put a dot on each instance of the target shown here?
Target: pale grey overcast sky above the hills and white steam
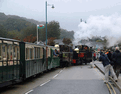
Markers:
(67, 12)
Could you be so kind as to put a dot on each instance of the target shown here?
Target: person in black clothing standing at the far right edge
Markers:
(116, 57)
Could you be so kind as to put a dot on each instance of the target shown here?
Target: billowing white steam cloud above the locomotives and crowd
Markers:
(109, 26)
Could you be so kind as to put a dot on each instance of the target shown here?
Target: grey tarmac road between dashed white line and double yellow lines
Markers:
(80, 79)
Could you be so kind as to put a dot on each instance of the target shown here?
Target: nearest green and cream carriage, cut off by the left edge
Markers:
(9, 61)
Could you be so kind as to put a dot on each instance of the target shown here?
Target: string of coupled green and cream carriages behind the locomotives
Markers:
(20, 60)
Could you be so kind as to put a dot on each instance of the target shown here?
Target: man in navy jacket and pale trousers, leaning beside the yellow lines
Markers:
(107, 67)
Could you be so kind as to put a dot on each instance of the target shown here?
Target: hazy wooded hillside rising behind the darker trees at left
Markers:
(13, 22)
